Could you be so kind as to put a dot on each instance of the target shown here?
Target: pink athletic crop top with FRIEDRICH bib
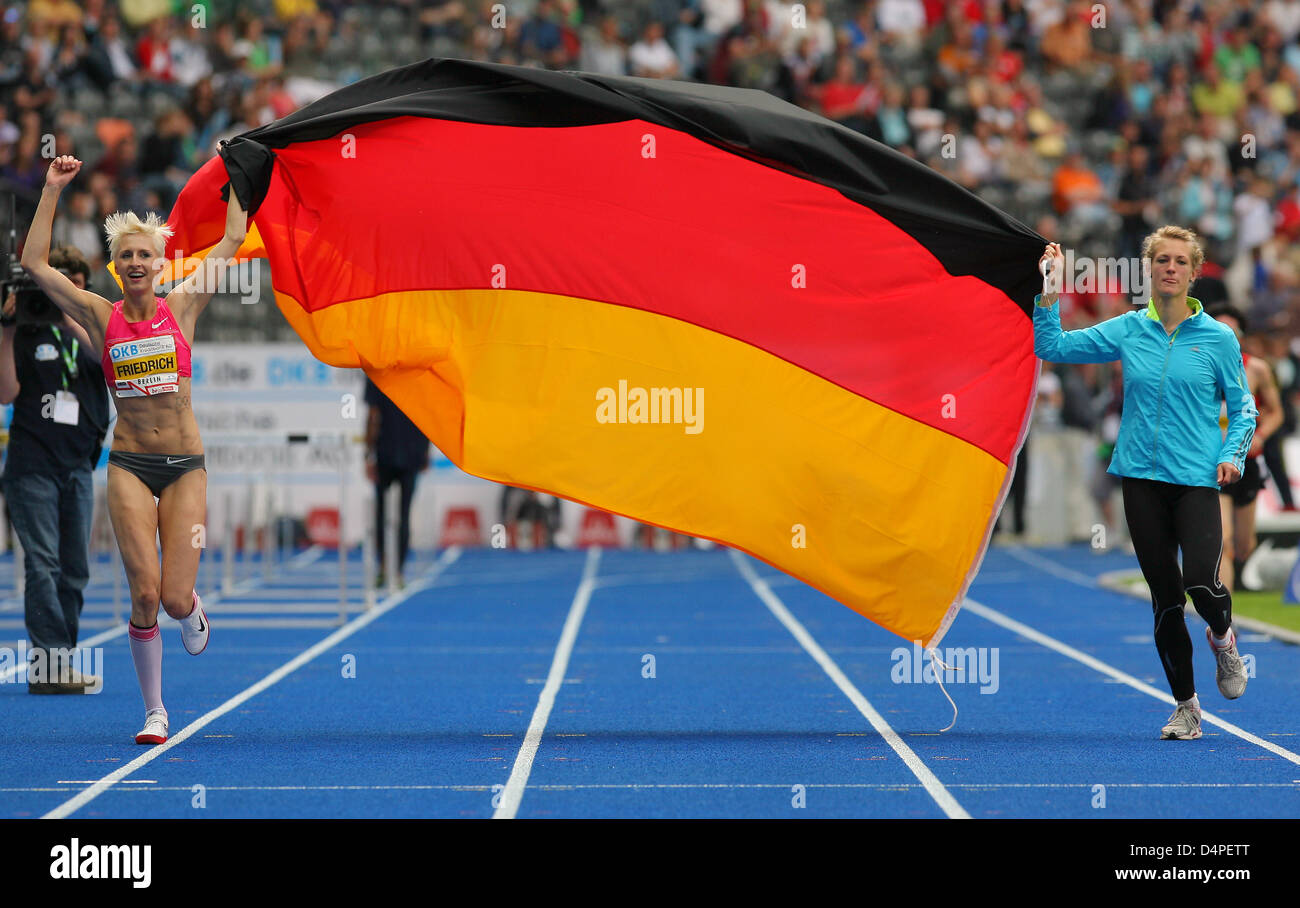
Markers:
(145, 358)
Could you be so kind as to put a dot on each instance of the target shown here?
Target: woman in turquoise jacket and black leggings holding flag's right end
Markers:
(1172, 456)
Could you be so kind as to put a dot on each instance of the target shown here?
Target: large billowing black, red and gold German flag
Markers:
(697, 306)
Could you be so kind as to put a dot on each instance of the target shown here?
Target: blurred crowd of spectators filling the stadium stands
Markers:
(1094, 123)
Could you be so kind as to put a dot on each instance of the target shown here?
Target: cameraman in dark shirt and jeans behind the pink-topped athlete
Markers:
(51, 374)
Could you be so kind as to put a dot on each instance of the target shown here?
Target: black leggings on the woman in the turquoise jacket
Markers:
(1162, 520)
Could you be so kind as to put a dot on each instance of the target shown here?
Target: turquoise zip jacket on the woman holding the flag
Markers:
(1173, 387)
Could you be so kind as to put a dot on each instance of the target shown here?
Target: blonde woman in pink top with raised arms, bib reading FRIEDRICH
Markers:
(157, 481)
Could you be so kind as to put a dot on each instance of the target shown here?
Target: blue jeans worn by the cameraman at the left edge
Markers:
(51, 517)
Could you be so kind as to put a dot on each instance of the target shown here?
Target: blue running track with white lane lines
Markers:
(643, 685)
